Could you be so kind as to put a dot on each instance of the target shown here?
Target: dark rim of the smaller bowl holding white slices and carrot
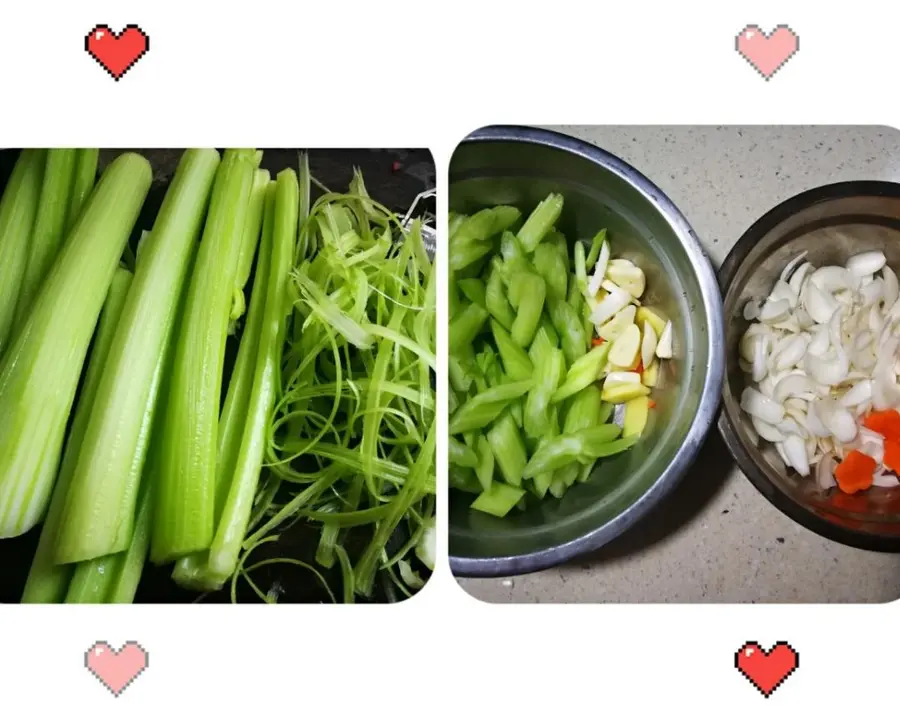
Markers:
(795, 511)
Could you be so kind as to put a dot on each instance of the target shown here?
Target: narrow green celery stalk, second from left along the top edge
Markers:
(49, 226)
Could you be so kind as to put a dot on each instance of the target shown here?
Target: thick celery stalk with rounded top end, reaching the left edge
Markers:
(40, 370)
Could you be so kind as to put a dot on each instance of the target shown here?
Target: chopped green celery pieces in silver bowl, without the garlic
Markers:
(526, 410)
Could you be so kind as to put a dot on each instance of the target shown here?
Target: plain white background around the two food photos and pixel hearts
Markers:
(423, 74)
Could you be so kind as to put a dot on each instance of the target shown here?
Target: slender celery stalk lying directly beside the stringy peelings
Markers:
(226, 546)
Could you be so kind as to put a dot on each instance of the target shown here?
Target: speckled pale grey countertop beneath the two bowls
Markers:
(716, 539)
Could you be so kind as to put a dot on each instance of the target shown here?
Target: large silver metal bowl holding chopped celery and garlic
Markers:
(520, 166)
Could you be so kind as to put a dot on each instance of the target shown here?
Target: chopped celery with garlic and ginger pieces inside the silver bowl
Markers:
(554, 359)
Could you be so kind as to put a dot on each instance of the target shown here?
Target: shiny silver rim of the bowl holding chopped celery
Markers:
(712, 385)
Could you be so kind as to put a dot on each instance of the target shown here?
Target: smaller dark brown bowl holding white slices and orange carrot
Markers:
(831, 223)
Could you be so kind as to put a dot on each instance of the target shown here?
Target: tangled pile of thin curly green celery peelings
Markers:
(351, 439)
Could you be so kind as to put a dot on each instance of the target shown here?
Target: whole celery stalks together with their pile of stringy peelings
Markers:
(328, 412)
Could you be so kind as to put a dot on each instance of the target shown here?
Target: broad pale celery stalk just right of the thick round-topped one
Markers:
(100, 508)
